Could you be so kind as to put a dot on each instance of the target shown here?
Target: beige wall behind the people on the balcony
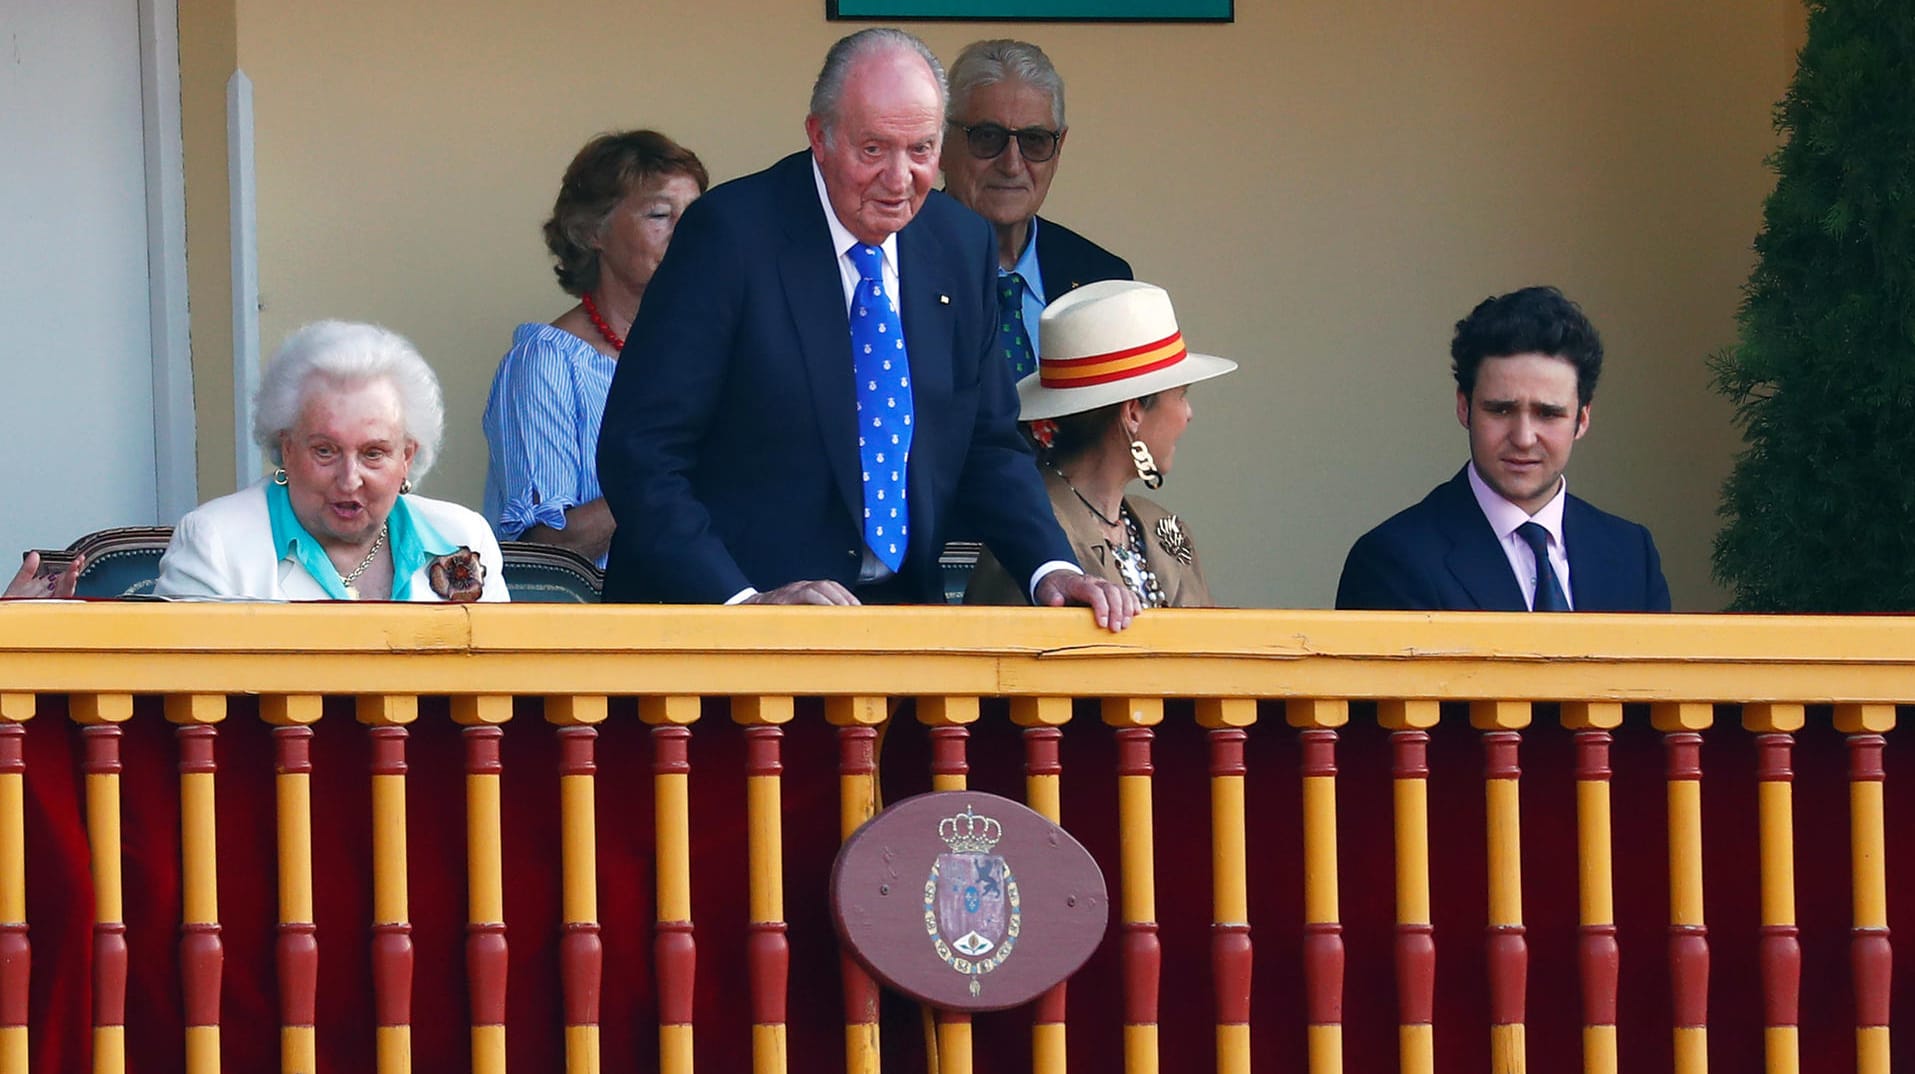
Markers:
(1324, 187)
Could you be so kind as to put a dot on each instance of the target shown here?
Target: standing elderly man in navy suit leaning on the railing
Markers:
(809, 392)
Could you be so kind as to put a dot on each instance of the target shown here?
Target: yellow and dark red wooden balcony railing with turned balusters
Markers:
(468, 838)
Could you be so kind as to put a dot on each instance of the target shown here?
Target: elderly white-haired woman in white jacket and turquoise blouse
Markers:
(353, 416)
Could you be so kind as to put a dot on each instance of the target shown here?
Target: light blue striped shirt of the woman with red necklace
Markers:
(541, 428)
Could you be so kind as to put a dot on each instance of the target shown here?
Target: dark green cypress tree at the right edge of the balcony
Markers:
(1820, 510)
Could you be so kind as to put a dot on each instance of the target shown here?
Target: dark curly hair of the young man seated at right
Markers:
(1535, 321)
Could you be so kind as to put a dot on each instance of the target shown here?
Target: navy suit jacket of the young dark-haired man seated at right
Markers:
(1443, 556)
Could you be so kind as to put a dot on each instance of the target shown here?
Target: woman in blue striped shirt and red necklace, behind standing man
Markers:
(610, 227)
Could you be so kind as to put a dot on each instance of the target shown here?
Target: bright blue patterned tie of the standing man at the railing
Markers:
(884, 407)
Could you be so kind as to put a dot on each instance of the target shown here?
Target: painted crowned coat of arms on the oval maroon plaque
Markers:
(972, 905)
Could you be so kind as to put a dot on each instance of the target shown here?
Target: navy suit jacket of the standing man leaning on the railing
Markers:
(731, 443)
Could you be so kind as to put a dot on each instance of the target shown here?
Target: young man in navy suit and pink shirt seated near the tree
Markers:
(1504, 533)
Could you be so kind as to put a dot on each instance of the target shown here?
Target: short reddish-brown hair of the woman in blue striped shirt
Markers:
(598, 179)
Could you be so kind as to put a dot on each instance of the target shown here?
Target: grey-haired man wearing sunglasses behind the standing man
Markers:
(1001, 154)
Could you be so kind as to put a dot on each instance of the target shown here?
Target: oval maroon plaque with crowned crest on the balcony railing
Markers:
(968, 901)
